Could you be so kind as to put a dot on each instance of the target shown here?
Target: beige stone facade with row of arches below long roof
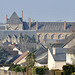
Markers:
(44, 36)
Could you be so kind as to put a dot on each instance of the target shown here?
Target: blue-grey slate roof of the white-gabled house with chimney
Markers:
(60, 54)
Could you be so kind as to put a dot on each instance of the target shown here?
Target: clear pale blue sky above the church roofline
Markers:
(41, 10)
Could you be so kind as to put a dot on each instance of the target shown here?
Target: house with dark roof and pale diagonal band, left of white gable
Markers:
(41, 57)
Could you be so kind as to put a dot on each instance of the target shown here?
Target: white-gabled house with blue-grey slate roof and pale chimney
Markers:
(56, 58)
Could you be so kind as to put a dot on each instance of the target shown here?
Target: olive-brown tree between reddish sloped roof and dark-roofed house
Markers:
(30, 59)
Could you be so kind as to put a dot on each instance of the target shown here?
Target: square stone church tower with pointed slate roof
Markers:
(14, 23)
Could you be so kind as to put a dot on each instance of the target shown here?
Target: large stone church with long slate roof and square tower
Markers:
(44, 32)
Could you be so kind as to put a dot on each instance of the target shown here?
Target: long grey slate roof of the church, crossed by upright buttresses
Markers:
(51, 26)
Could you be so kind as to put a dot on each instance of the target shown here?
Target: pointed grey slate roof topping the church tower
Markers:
(14, 19)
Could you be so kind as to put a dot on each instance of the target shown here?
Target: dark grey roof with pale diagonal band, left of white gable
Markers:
(41, 55)
